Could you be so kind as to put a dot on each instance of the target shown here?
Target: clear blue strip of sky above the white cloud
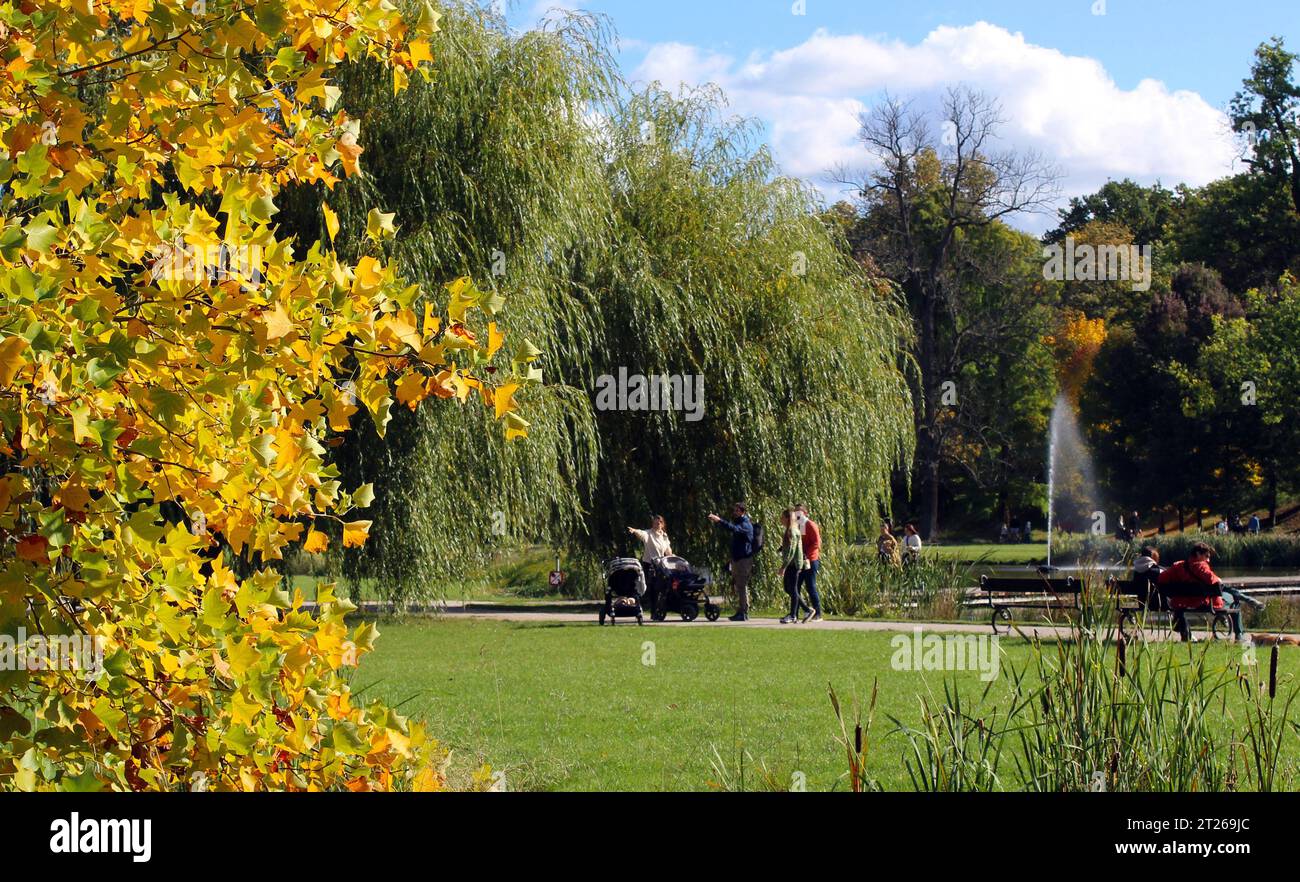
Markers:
(1199, 45)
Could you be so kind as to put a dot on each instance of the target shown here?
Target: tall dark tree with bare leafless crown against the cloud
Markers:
(917, 200)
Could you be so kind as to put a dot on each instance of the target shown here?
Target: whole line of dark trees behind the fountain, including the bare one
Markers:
(1158, 367)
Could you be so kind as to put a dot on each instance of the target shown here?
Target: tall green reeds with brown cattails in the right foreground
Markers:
(1095, 712)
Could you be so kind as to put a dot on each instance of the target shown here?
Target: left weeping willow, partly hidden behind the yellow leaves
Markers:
(493, 176)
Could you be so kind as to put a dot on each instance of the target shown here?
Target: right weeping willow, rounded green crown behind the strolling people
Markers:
(721, 269)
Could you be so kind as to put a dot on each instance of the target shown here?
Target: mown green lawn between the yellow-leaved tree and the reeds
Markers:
(573, 707)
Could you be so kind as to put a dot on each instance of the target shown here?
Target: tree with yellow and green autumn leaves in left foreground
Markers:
(171, 377)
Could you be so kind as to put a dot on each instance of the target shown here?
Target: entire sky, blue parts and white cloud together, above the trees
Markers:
(1138, 92)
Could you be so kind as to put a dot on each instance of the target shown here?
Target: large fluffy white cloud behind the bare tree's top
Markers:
(1067, 107)
